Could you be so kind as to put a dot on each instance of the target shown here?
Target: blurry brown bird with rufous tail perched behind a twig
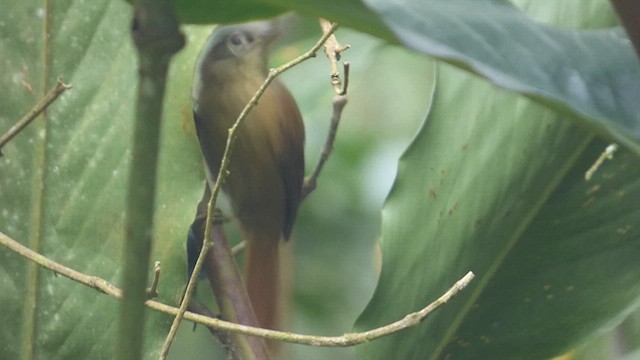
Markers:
(266, 169)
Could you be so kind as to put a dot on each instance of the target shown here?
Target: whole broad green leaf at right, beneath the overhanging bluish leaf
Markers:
(495, 184)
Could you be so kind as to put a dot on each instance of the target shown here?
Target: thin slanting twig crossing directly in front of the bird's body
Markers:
(222, 173)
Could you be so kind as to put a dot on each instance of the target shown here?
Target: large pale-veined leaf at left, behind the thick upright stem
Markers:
(63, 181)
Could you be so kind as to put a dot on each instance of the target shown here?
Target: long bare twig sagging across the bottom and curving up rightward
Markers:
(349, 339)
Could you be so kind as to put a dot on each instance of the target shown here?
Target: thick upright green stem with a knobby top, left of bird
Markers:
(157, 37)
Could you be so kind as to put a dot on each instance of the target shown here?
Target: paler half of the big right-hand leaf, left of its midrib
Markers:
(466, 189)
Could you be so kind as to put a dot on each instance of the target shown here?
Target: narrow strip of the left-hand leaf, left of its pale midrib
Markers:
(19, 175)
